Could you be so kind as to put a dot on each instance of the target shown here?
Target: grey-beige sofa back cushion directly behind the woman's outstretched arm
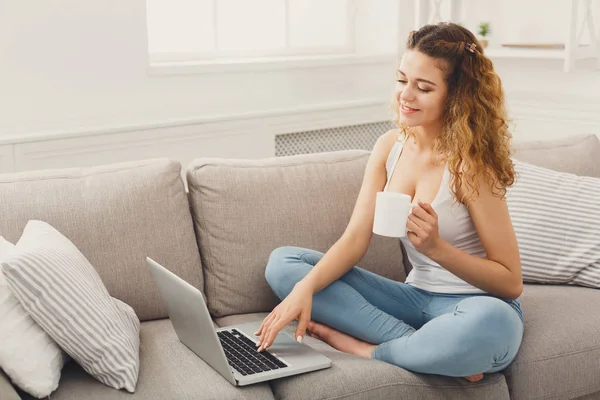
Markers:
(244, 209)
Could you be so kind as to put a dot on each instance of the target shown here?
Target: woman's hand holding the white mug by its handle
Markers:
(423, 232)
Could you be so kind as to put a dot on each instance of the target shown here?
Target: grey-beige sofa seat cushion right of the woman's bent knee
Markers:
(559, 357)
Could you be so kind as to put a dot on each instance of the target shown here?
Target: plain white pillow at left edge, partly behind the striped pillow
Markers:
(28, 355)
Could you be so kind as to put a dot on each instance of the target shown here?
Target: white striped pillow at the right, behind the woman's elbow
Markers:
(556, 217)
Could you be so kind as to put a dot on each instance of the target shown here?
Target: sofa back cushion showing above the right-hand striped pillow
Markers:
(578, 154)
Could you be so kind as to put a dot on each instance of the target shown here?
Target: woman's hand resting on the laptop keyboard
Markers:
(297, 305)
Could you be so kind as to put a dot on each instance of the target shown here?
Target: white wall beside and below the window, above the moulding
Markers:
(67, 63)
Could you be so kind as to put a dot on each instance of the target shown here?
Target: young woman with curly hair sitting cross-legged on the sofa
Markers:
(458, 313)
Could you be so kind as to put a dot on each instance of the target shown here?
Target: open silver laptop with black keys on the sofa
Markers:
(231, 350)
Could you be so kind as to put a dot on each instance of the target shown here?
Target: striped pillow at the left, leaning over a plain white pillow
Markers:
(63, 293)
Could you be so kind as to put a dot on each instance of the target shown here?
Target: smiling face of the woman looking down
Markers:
(421, 90)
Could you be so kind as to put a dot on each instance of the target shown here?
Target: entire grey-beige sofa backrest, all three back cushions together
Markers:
(242, 210)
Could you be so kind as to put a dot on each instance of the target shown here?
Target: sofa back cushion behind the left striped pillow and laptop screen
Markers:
(116, 215)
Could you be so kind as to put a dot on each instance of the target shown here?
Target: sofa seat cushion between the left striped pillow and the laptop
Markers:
(168, 370)
